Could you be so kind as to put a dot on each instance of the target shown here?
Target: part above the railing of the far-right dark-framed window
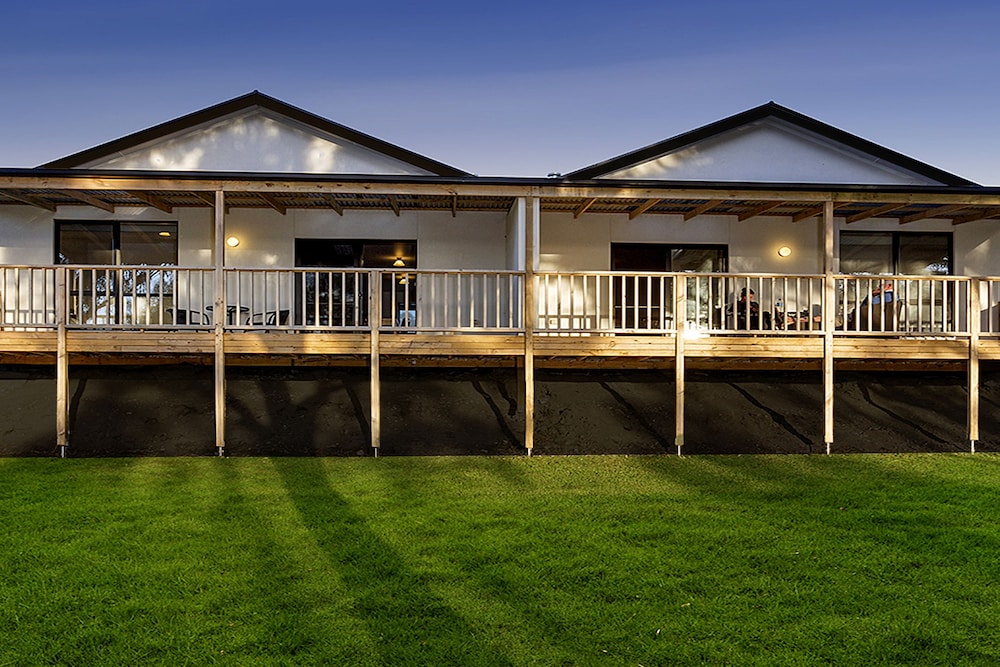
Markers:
(899, 253)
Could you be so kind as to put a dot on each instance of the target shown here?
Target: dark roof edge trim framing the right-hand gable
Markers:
(771, 110)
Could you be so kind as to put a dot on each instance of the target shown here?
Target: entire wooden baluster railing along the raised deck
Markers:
(581, 303)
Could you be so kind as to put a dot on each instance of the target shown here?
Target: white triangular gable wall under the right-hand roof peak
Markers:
(771, 151)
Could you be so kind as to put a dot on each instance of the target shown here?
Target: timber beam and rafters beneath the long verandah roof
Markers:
(167, 194)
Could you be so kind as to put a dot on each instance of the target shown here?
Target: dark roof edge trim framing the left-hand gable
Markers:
(242, 104)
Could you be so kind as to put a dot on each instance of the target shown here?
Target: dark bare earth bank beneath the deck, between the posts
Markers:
(168, 411)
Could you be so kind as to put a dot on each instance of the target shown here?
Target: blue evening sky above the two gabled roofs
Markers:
(512, 87)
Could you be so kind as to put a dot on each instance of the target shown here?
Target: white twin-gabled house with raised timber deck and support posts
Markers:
(254, 232)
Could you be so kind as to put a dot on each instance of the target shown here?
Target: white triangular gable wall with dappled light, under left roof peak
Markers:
(257, 140)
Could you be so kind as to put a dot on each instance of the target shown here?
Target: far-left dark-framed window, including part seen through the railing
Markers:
(123, 295)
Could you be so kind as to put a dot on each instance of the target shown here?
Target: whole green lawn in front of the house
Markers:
(788, 560)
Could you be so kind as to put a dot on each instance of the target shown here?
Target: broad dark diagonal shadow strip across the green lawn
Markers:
(413, 625)
